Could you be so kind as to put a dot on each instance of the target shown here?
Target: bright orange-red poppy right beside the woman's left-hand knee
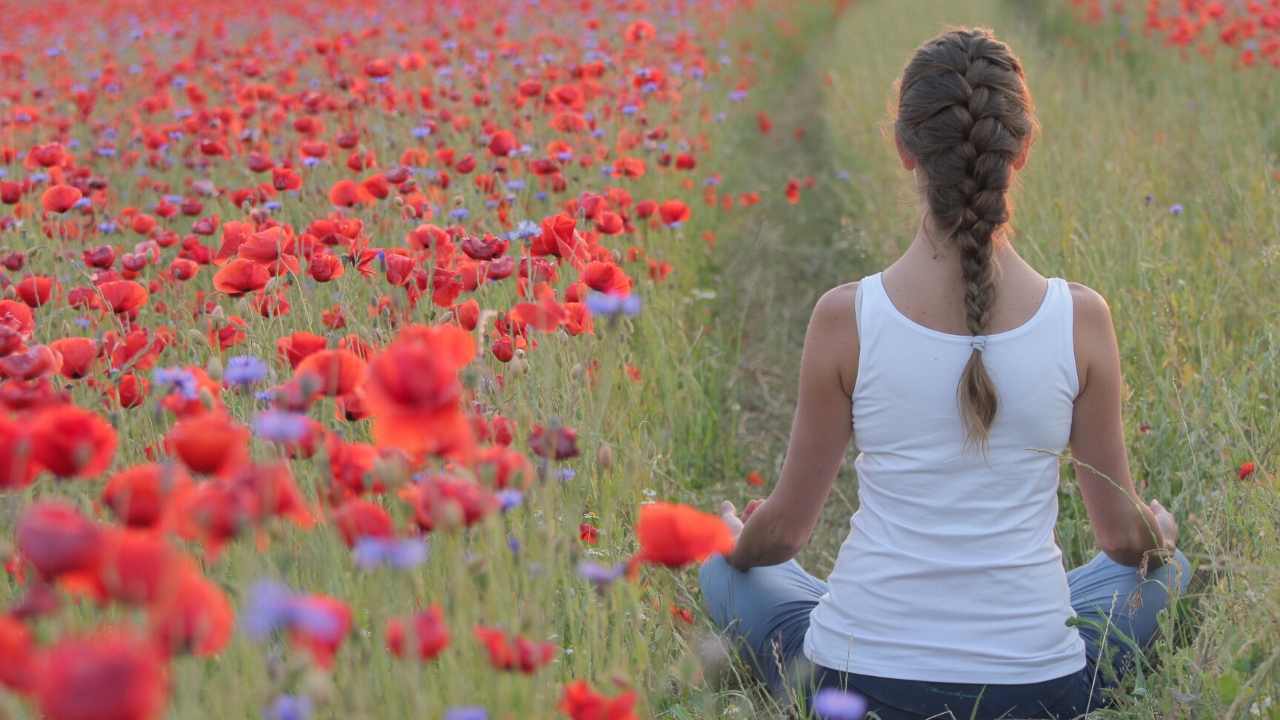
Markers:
(676, 535)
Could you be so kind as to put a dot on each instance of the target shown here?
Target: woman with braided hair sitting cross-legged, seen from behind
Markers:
(966, 373)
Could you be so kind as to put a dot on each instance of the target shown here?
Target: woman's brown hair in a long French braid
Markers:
(966, 116)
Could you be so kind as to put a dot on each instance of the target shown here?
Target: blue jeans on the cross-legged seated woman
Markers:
(766, 613)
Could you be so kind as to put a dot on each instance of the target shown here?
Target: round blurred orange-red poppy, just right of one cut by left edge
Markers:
(71, 441)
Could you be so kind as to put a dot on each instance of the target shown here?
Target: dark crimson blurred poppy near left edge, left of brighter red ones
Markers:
(57, 540)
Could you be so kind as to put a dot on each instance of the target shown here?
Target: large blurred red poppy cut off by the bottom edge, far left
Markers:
(108, 676)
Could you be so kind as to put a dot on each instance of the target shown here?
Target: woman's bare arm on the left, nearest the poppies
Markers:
(820, 435)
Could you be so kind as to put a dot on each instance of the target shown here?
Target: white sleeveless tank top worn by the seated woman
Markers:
(952, 572)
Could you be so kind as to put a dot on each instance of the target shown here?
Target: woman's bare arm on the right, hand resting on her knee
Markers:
(1126, 527)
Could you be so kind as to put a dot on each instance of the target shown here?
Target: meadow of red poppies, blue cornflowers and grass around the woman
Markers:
(495, 394)
